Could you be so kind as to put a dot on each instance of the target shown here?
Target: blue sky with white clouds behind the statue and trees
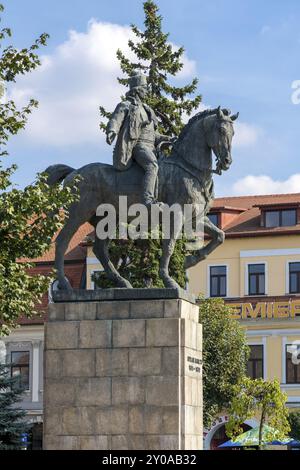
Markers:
(244, 52)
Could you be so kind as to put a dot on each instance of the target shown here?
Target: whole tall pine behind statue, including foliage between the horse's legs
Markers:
(156, 57)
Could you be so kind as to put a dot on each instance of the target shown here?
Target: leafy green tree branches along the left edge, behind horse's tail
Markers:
(26, 227)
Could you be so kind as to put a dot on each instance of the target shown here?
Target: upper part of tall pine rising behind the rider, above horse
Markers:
(158, 59)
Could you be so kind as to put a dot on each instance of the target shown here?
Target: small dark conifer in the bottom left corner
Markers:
(12, 423)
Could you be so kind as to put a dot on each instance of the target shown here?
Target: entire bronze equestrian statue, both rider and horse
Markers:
(183, 177)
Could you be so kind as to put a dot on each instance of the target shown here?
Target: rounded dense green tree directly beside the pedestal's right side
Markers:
(225, 354)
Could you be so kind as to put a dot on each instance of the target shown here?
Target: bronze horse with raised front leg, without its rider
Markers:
(185, 177)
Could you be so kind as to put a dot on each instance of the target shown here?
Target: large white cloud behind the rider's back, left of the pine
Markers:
(73, 81)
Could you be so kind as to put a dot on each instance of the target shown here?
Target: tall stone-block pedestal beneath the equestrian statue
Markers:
(123, 374)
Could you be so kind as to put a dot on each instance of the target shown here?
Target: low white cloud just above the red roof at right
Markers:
(264, 184)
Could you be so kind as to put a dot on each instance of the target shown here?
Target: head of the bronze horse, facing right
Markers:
(219, 133)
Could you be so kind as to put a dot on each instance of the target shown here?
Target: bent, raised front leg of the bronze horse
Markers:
(218, 237)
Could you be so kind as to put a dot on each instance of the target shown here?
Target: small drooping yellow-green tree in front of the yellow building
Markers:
(253, 397)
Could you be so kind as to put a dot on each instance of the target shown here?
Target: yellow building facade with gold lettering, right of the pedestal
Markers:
(273, 319)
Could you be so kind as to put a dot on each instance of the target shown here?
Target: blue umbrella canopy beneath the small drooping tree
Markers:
(251, 438)
